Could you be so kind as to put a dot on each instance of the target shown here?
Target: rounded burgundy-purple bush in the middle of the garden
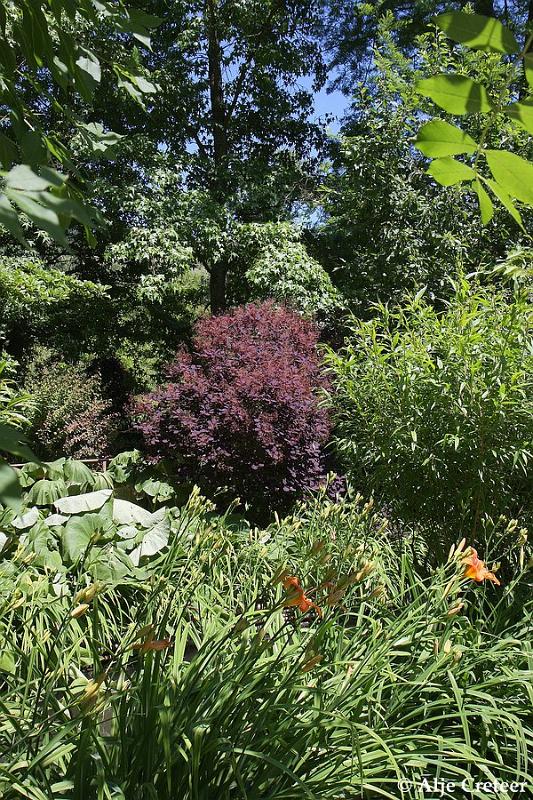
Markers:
(242, 411)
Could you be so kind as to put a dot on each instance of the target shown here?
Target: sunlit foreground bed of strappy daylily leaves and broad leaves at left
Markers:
(198, 674)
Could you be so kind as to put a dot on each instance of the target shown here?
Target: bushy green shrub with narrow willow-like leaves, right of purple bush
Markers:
(434, 409)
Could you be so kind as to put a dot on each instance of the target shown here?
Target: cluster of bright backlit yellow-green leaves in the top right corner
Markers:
(509, 177)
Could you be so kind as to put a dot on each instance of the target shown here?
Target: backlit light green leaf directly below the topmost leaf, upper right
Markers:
(456, 94)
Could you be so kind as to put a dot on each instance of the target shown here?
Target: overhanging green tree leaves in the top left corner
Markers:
(46, 72)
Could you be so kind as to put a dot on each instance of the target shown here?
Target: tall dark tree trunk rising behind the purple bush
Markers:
(217, 287)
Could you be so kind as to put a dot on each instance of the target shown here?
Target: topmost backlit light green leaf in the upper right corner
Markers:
(478, 32)
